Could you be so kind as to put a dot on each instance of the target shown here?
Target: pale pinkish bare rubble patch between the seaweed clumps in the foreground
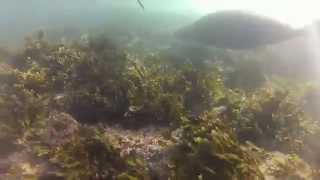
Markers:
(148, 143)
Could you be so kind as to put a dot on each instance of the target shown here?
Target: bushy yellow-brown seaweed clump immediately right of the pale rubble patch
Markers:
(210, 150)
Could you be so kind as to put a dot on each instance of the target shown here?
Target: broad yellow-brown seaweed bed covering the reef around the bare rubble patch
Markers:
(47, 85)
